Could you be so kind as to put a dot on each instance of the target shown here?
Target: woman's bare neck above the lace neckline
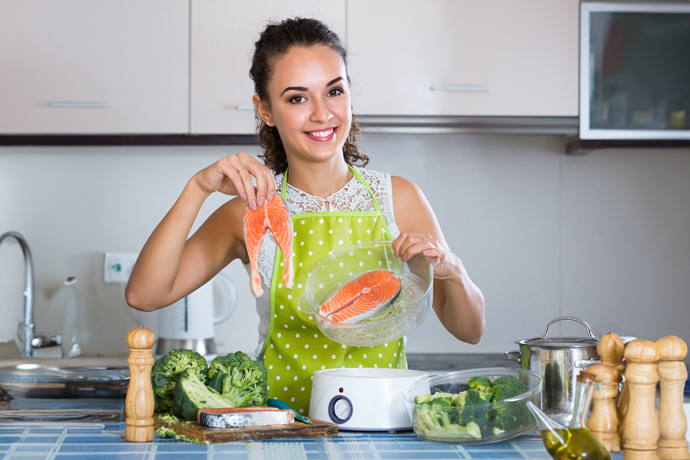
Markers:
(319, 179)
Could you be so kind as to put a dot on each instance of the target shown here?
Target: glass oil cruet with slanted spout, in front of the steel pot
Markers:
(576, 442)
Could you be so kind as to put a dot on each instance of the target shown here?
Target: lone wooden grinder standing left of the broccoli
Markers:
(139, 399)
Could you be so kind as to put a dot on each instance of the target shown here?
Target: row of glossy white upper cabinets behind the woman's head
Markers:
(73, 67)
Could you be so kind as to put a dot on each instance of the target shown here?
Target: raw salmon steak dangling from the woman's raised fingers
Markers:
(273, 216)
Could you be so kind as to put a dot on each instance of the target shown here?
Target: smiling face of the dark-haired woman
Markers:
(310, 103)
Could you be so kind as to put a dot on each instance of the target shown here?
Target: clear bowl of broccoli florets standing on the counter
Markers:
(509, 417)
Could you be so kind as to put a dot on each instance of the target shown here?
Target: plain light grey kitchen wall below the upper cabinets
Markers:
(604, 236)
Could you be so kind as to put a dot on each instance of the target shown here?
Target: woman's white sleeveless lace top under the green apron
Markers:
(354, 196)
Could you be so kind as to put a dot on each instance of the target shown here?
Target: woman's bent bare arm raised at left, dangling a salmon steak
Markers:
(171, 265)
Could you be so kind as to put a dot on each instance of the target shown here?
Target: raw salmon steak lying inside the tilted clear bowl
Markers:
(362, 297)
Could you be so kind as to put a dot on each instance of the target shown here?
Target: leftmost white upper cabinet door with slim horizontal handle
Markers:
(94, 66)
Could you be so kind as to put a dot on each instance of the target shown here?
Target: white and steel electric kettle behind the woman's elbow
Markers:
(189, 322)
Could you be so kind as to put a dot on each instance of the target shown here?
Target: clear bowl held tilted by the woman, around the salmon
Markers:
(407, 312)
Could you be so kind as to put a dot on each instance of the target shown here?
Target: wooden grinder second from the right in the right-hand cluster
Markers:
(641, 424)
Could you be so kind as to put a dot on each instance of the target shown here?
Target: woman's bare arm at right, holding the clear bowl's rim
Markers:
(458, 302)
